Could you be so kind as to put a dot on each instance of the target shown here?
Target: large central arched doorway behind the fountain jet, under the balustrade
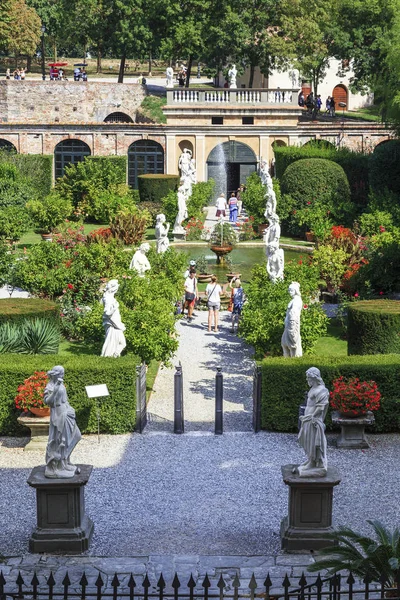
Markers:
(229, 164)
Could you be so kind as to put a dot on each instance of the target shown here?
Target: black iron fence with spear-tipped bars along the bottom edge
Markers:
(336, 587)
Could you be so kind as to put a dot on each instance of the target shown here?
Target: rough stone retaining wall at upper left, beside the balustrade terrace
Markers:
(67, 102)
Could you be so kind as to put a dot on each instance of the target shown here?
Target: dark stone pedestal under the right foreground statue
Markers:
(309, 517)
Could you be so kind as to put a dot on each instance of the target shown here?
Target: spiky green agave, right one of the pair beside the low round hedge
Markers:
(39, 336)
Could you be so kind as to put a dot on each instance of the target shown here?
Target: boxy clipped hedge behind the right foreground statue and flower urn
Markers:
(284, 385)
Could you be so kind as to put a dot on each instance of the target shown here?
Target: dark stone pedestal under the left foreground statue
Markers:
(62, 525)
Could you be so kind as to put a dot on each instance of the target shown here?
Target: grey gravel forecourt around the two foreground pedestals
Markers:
(166, 494)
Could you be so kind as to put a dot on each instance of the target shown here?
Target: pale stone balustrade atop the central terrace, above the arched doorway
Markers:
(260, 97)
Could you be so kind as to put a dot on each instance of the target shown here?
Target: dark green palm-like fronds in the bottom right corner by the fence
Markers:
(378, 559)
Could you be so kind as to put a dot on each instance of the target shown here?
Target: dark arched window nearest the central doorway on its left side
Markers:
(144, 156)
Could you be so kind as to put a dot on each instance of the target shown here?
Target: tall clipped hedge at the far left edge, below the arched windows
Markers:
(37, 168)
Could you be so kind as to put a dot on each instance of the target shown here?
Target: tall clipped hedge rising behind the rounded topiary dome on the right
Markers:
(354, 164)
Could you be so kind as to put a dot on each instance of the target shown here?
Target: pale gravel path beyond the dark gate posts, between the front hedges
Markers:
(200, 353)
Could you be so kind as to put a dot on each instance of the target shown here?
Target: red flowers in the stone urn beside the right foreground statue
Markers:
(354, 397)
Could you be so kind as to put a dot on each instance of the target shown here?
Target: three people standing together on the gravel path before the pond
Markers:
(213, 295)
